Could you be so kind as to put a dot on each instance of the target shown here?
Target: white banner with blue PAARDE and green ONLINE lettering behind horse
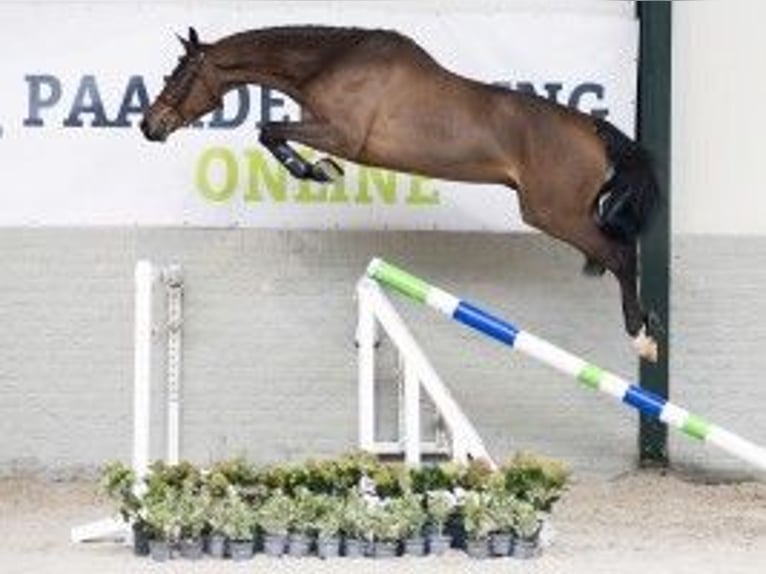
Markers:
(74, 79)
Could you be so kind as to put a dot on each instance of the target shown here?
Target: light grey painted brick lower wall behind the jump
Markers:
(269, 363)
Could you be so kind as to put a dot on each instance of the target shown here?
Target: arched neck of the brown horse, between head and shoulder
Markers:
(270, 59)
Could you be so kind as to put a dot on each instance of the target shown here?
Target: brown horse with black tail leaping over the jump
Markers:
(370, 96)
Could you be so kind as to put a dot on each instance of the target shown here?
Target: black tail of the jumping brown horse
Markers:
(627, 200)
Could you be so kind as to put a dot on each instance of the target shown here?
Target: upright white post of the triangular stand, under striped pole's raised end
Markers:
(365, 337)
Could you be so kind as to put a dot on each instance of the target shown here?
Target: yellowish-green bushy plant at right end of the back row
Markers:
(538, 480)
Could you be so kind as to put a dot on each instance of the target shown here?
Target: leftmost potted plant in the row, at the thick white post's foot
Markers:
(118, 483)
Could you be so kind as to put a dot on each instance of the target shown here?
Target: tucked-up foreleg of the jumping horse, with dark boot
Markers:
(275, 135)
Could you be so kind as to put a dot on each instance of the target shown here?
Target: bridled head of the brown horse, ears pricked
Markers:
(192, 90)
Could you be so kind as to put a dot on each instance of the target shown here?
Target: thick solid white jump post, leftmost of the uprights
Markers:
(142, 367)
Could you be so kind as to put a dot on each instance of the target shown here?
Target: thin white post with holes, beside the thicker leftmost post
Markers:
(174, 288)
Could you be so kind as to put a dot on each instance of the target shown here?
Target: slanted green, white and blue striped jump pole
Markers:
(588, 374)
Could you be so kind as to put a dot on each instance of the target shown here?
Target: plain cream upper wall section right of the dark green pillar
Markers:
(718, 117)
